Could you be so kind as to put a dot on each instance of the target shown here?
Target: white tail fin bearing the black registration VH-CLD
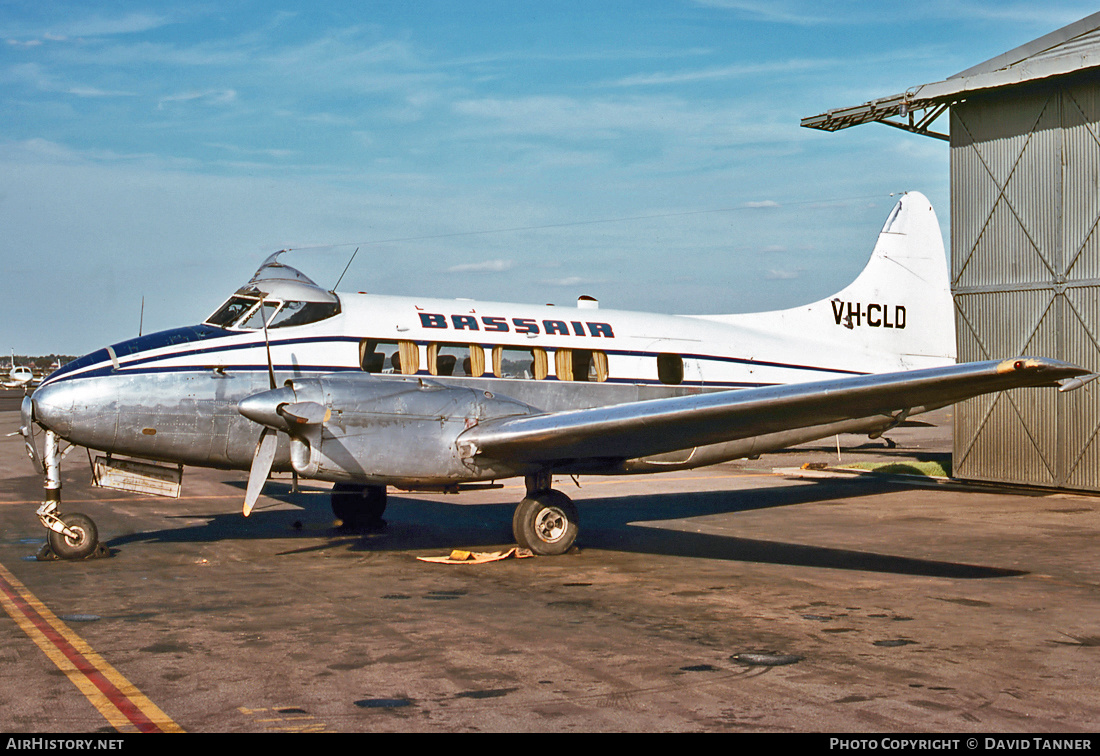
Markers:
(897, 315)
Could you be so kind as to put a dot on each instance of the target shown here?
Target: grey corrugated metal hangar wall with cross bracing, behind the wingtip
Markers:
(1026, 272)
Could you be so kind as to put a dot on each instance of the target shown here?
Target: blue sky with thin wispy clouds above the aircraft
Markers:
(645, 154)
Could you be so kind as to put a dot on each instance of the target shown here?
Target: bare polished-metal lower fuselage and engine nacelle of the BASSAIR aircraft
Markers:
(387, 430)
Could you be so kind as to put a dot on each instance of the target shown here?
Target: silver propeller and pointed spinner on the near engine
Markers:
(278, 411)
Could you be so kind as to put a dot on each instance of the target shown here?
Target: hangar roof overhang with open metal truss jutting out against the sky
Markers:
(1069, 50)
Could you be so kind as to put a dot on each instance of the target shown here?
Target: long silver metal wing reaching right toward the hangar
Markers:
(659, 426)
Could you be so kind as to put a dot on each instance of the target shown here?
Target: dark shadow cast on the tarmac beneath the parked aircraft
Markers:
(618, 524)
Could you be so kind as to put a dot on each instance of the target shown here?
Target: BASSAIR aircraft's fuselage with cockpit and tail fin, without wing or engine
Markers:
(174, 396)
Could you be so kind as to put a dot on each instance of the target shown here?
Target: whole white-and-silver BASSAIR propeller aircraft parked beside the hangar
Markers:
(425, 395)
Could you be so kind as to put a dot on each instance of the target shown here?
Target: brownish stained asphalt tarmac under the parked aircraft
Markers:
(732, 599)
